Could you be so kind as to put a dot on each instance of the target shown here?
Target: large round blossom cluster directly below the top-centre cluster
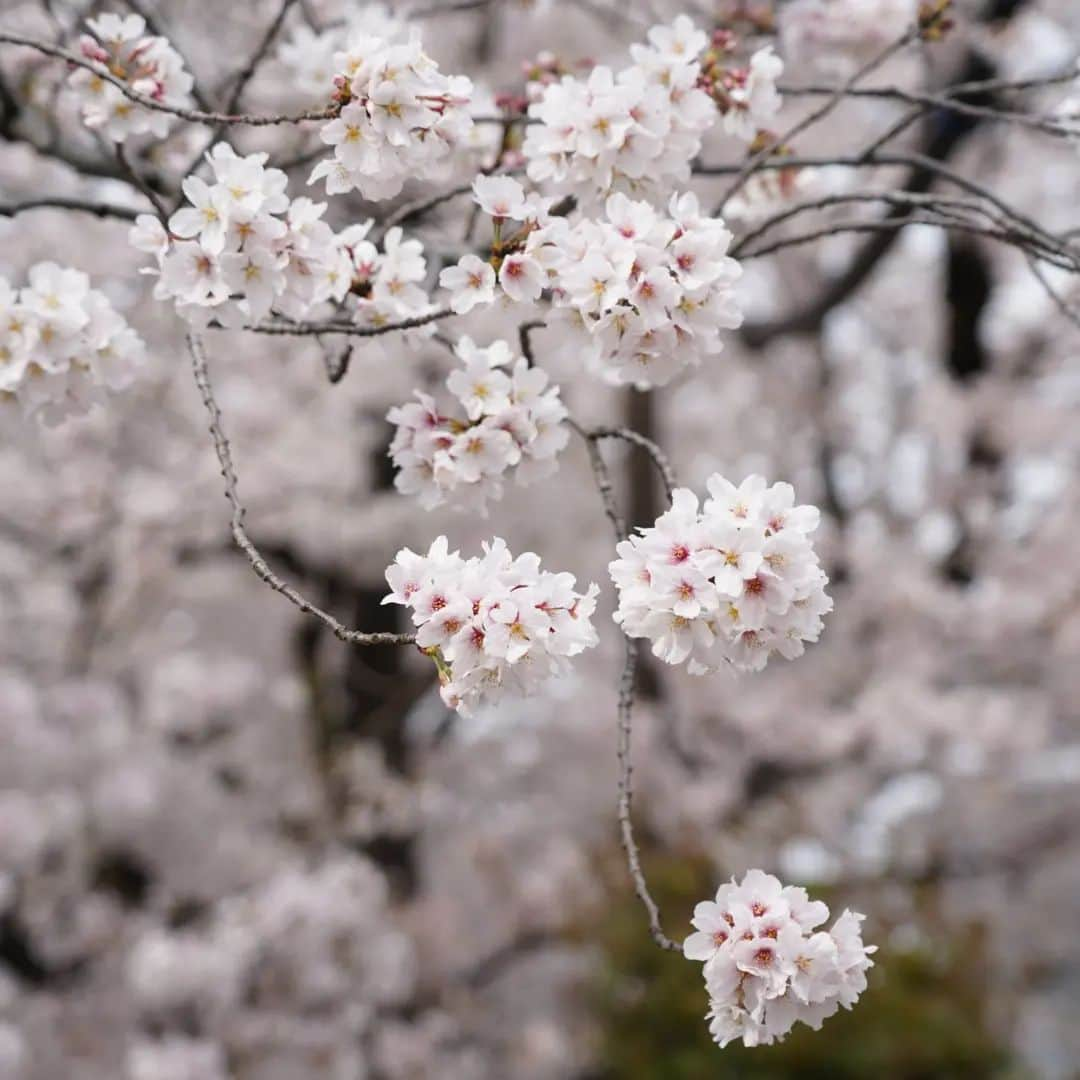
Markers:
(646, 293)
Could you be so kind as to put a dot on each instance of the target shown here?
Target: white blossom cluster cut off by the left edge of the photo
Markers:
(62, 344)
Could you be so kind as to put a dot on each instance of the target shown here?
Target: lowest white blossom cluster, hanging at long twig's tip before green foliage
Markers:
(766, 965)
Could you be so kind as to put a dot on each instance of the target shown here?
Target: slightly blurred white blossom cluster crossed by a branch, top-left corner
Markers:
(148, 64)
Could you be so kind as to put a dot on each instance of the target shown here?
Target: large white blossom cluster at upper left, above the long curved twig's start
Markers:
(242, 247)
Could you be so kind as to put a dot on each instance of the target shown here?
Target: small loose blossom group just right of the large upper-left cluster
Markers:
(385, 287)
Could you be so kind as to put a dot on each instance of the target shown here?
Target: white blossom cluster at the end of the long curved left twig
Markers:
(492, 624)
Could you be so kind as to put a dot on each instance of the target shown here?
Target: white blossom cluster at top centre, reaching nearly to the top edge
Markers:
(634, 131)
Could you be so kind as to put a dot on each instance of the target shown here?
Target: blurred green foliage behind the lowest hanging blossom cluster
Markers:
(925, 1016)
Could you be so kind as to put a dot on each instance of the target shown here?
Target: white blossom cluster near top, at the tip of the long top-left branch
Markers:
(401, 118)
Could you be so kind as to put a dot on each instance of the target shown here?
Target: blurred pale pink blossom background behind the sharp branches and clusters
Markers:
(232, 847)
